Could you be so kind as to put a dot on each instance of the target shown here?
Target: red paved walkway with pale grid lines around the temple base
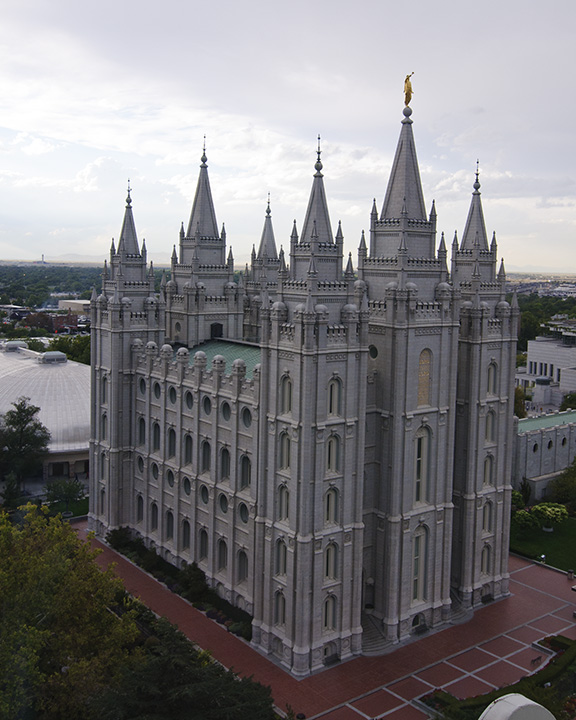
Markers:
(491, 650)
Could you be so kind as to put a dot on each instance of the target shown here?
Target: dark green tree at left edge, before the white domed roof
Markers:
(23, 440)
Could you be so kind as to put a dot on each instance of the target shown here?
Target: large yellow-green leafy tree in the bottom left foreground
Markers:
(60, 645)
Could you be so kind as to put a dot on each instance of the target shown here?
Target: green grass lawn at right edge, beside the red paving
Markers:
(558, 546)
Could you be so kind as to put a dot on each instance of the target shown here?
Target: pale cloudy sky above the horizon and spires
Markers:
(95, 94)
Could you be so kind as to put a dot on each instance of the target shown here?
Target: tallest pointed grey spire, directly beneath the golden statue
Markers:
(404, 186)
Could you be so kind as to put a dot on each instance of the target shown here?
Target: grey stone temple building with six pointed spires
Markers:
(332, 447)
